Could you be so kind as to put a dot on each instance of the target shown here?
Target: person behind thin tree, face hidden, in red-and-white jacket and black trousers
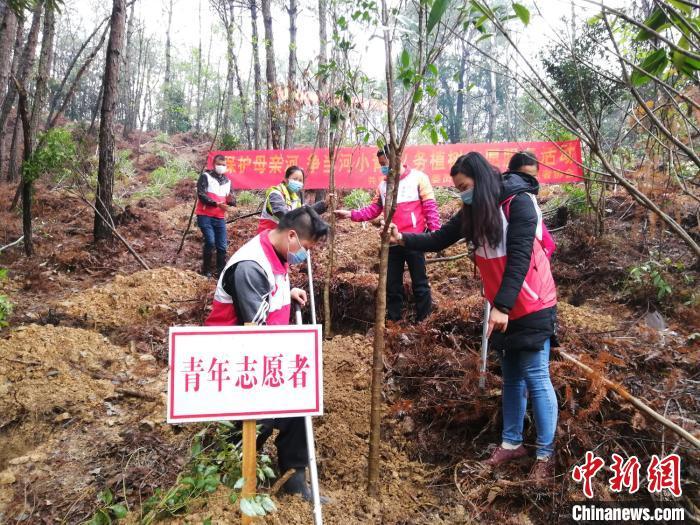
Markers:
(416, 211)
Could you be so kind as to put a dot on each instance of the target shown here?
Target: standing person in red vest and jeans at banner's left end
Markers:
(214, 197)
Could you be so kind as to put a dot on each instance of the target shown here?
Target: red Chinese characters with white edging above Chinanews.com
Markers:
(661, 474)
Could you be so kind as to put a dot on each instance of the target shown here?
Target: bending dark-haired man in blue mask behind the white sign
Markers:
(254, 288)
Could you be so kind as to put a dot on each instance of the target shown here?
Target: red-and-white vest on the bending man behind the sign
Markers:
(275, 306)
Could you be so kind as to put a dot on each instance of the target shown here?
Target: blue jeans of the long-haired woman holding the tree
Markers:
(528, 373)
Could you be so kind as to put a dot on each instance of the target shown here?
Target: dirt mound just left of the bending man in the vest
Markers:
(131, 299)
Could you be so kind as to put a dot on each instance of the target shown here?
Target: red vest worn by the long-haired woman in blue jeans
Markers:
(538, 291)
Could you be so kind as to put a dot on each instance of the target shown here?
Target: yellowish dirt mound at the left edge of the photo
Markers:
(49, 375)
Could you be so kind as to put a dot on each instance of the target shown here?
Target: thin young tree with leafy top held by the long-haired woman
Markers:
(425, 36)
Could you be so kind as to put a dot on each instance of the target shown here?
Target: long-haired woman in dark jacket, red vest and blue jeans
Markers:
(501, 218)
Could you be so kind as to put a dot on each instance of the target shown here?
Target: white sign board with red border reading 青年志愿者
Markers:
(244, 372)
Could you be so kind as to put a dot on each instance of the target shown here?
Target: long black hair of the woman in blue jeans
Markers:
(481, 221)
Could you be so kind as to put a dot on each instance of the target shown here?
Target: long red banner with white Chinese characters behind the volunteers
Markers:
(358, 168)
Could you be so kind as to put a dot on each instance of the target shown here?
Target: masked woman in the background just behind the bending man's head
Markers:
(285, 197)
